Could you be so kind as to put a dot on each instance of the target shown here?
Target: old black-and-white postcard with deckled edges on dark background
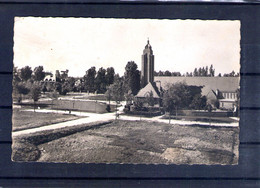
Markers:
(126, 91)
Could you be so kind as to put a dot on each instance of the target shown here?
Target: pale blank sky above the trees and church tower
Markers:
(77, 44)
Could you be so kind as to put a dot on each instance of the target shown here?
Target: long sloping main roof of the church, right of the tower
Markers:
(224, 84)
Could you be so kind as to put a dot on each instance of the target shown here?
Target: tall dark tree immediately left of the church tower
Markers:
(132, 78)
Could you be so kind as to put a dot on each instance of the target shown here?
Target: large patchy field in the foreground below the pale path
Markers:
(143, 142)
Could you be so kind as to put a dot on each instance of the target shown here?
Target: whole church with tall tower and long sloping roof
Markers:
(221, 89)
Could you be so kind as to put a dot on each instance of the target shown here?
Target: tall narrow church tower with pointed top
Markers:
(147, 71)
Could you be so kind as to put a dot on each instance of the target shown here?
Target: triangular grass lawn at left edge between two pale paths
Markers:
(26, 119)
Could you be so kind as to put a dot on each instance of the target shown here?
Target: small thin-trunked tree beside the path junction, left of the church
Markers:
(116, 91)
